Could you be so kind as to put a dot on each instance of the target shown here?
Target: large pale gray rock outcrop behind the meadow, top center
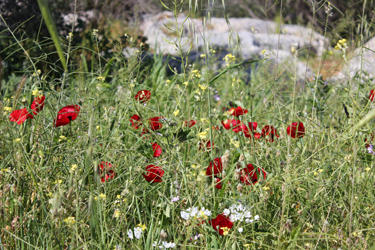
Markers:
(245, 36)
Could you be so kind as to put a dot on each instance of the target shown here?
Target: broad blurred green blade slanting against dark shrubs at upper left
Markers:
(46, 13)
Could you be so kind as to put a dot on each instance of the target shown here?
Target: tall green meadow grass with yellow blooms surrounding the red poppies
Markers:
(318, 192)
